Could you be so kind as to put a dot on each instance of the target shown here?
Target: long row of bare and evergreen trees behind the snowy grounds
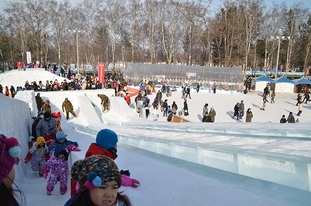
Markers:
(244, 33)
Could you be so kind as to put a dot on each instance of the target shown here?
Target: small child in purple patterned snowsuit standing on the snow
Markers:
(58, 166)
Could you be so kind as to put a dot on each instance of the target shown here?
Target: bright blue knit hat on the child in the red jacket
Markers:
(106, 138)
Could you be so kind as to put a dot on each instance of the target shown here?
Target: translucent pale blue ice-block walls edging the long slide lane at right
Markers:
(289, 170)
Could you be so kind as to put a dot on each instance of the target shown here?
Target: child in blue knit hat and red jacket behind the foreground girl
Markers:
(106, 142)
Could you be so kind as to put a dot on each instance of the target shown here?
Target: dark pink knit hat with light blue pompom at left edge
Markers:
(9, 153)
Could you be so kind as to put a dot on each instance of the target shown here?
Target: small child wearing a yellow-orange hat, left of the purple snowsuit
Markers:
(38, 154)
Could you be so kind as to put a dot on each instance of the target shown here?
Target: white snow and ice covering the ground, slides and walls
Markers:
(155, 152)
